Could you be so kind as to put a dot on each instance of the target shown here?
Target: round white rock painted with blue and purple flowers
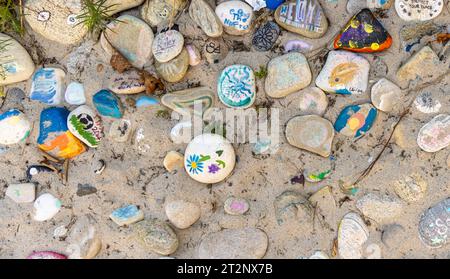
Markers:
(209, 158)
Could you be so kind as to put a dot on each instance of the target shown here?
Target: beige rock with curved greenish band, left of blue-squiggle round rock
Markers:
(190, 101)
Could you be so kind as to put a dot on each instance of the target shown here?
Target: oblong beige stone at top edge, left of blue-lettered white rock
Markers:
(205, 17)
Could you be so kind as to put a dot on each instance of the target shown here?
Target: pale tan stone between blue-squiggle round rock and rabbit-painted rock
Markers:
(287, 74)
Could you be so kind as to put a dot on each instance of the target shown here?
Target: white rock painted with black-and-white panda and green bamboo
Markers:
(86, 125)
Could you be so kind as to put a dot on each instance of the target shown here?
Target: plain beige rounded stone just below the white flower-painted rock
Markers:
(182, 214)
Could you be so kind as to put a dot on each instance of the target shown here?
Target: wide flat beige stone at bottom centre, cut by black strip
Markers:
(247, 243)
